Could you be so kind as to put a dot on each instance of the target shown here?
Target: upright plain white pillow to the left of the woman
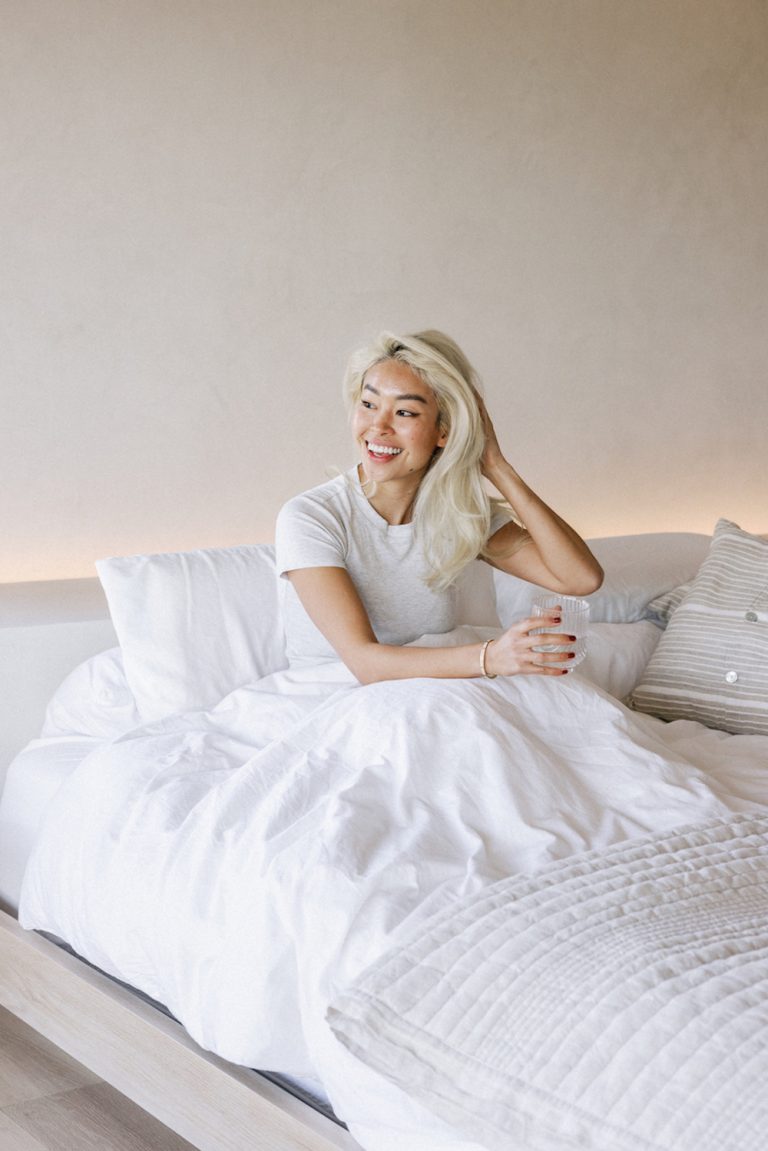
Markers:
(194, 626)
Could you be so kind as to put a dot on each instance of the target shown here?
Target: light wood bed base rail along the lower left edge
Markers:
(150, 1058)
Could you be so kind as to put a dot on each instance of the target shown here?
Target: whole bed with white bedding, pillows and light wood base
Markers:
(463, 916)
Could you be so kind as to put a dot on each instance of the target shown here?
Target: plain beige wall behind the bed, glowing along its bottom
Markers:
(207, 205)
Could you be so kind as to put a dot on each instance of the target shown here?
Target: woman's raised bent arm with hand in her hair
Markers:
(550, 552)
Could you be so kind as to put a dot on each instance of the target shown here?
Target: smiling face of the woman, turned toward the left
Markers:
(397, 423)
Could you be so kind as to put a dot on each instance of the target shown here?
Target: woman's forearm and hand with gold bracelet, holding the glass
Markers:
(332, 603)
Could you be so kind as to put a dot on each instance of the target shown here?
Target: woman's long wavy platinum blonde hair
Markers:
(452, 510)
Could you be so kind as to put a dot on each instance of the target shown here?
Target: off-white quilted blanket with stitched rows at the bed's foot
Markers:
(618, 1001)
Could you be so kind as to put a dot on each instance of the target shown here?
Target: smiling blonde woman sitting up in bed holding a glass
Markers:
(375, 559)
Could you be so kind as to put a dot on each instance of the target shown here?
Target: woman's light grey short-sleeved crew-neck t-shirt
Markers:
(336, 527)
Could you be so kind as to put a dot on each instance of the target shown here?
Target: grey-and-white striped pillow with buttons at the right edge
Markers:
(712, 662)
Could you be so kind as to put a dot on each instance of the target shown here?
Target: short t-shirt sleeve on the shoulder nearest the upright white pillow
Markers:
(309, 535)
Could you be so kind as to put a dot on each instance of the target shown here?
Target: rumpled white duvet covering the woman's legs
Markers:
(244, 866)
